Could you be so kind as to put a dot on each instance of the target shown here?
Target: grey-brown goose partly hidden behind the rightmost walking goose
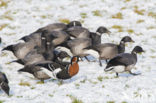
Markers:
(109, 50)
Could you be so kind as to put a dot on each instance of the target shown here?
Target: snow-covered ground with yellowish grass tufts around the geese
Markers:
(136, 18)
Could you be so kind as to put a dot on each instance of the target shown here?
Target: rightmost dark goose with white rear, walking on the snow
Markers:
(124, 61)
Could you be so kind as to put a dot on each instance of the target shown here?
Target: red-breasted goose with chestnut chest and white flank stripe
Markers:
(64, 70)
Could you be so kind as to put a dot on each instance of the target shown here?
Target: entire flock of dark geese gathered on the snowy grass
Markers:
(54, 51)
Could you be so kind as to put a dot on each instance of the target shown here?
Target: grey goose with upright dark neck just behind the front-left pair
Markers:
(37, 55)
